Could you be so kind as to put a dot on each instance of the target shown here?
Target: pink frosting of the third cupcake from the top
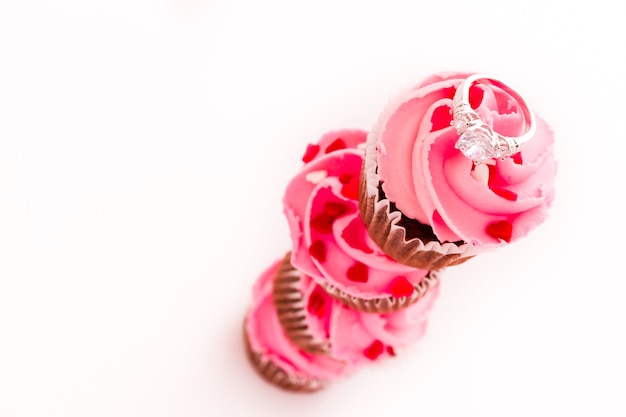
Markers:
(358, 337)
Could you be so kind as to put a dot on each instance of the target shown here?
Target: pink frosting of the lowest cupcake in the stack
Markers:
(266, 337)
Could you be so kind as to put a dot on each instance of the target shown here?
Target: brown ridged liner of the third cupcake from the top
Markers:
(291, 308)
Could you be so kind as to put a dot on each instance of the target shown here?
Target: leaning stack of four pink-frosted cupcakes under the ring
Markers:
(376, 218)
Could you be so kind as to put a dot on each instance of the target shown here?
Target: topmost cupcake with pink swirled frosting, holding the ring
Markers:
(427, 205)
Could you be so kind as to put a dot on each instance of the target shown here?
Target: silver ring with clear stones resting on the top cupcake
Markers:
(477, 140)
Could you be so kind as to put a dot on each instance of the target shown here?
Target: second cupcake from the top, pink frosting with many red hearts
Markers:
(329, 240)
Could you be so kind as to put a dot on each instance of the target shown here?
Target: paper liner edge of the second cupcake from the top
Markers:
(384, 305)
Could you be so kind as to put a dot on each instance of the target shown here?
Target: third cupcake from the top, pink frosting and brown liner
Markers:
(318, 323)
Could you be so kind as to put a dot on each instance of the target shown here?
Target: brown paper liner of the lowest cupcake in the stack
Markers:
(274, 374)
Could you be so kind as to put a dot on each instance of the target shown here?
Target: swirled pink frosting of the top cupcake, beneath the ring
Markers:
(431, 181)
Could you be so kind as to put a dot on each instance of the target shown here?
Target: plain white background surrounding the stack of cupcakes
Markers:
(144, 150)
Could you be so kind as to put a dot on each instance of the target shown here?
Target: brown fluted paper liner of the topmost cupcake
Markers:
(383, 223)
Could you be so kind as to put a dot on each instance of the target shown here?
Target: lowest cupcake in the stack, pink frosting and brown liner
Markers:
(274, 355)
